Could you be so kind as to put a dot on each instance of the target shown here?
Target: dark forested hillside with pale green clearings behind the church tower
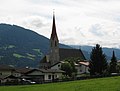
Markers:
(22, 47)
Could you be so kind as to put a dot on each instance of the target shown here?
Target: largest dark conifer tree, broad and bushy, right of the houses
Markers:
(98, 63)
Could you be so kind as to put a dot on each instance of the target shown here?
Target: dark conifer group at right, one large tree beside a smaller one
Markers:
(99, 65)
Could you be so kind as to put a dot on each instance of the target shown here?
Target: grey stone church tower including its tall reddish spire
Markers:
(54, 44)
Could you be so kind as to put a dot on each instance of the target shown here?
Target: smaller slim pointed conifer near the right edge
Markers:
(113, 64)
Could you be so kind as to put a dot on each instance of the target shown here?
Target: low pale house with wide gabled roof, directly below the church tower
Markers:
(45, 75)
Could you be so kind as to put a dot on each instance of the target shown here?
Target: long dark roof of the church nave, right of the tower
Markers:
(67, 53)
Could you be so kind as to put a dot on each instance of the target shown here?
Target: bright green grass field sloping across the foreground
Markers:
(100, 84)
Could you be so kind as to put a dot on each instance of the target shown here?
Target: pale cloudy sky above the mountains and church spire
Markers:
(78, 22)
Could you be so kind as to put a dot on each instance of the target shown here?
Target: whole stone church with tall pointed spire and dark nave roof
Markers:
(56, 55)
